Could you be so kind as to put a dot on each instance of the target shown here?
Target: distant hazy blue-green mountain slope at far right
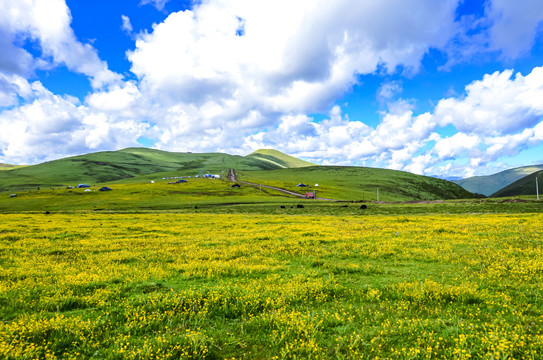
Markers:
(488, 185)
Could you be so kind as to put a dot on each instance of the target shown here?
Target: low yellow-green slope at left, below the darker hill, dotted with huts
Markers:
(139, 197)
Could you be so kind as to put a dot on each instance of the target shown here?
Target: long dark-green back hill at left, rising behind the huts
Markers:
(114, 165)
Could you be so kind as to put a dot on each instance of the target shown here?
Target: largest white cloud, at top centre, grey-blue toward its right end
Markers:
(301, 66)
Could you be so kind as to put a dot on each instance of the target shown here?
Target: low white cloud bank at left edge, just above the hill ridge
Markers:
(50, 126)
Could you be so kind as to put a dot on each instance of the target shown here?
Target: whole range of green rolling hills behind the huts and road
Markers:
(268, 167)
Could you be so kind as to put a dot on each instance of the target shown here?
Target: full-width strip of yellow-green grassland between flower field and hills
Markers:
(218, 197)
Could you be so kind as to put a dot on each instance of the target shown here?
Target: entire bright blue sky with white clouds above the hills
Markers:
(448, 88)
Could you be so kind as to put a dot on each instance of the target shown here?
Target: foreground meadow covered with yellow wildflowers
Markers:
(238, 286)
